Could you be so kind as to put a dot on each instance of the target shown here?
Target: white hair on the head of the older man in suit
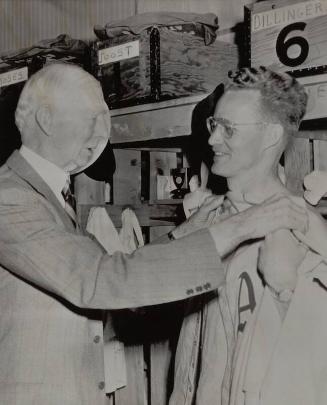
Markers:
(44, 85)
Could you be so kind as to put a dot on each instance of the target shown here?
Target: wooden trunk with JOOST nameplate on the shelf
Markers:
(159, 63)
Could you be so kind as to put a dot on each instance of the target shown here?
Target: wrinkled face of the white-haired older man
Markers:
(81, 127)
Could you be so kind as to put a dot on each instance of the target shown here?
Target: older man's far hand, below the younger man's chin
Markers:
(202, 218)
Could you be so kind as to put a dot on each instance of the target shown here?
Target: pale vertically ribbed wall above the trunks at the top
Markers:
(24, 22)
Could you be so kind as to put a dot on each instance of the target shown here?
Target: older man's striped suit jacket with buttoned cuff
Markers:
(53, 281)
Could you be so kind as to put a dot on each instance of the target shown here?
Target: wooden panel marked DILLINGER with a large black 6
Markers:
(288, 35)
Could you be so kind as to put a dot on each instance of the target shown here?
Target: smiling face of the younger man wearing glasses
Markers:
(237, 137)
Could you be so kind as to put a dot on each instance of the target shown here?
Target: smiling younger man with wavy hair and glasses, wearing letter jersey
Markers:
(260, 339)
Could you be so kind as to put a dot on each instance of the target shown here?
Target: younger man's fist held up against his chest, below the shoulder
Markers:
(280, 256)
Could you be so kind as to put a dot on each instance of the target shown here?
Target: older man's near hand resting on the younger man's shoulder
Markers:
(281, 212)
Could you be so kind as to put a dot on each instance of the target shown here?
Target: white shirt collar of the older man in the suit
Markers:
(54, 176)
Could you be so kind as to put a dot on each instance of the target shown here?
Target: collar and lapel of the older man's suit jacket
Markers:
(21, 167)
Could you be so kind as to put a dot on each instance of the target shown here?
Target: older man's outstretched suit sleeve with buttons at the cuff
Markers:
(41, 251)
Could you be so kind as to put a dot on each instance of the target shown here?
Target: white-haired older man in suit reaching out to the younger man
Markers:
(54, 280)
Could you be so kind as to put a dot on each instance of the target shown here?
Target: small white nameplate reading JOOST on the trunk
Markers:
(117, 53)
